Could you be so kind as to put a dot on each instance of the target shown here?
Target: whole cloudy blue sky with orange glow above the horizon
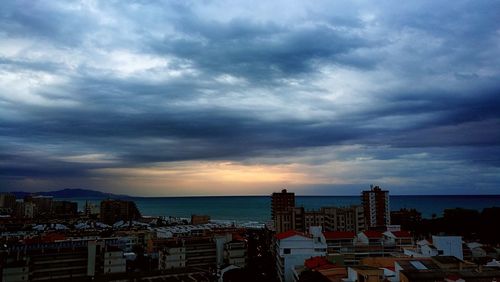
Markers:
(159, 98)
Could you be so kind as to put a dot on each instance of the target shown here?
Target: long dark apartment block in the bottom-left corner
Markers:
(62, 260)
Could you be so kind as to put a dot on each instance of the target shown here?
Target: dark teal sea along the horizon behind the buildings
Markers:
(257, 208)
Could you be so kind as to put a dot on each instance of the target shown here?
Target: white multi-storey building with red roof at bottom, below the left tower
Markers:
(293, 248)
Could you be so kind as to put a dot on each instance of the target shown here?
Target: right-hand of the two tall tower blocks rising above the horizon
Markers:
(376, 207)
